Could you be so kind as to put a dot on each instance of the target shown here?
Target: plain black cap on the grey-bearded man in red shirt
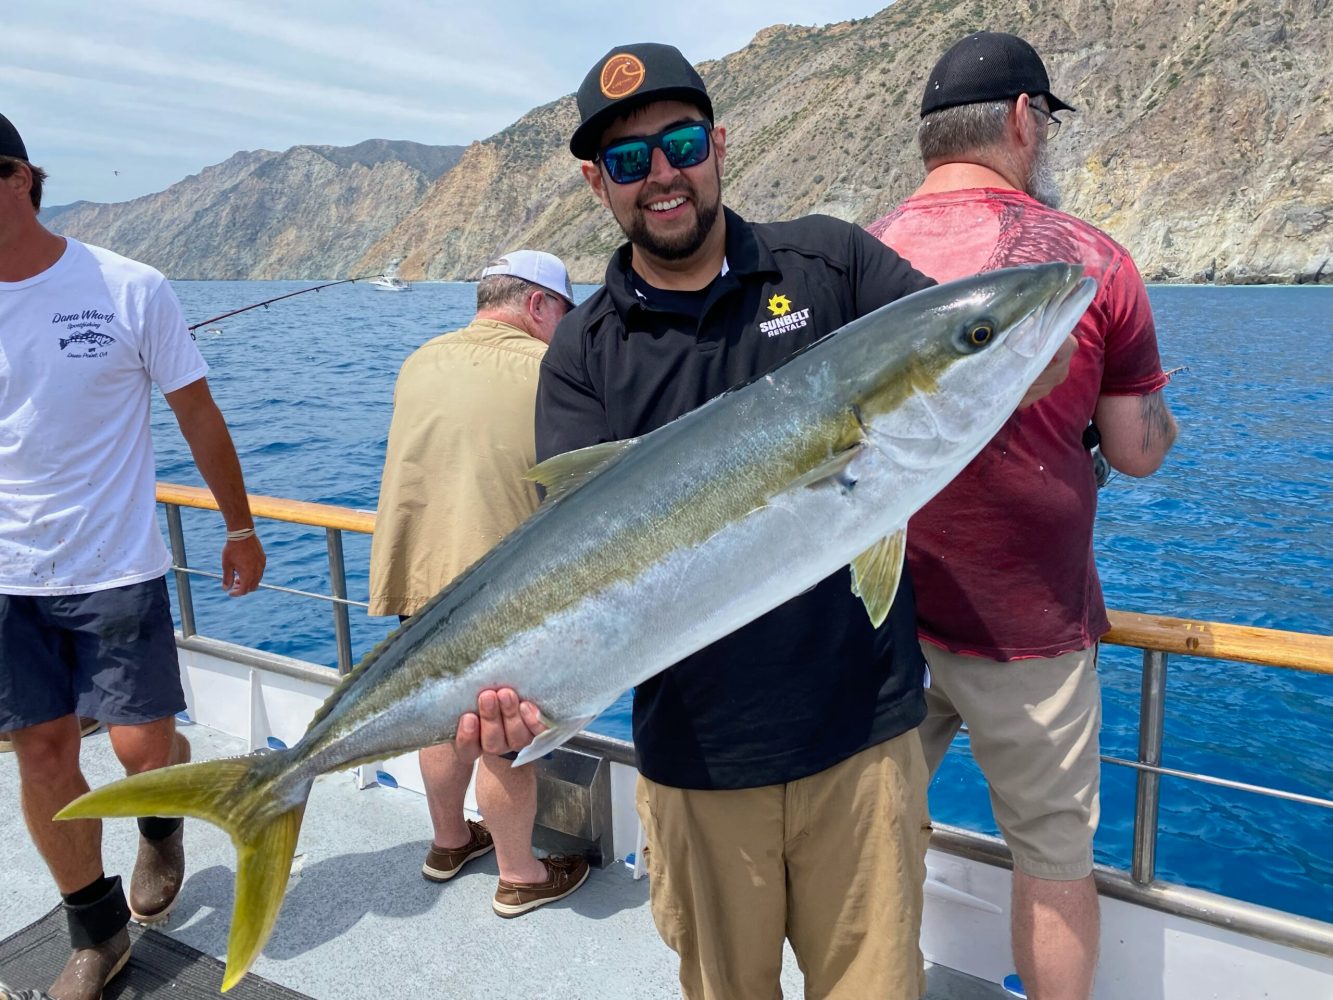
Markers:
(987, 66)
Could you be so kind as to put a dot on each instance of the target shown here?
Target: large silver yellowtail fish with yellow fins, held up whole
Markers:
(649, 550)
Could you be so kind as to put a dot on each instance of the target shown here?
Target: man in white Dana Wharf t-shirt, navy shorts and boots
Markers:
(86, 629)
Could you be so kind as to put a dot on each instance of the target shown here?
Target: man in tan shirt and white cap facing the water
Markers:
(461, 442)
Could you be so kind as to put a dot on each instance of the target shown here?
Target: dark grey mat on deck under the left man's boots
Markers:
(159, 966)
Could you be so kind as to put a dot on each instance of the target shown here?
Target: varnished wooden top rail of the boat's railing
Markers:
(1268, 647)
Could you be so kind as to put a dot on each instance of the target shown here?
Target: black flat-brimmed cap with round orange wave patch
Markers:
(631, 77)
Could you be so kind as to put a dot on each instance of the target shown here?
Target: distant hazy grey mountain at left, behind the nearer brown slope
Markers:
(309, 213)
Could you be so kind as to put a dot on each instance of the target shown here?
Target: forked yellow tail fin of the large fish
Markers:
(229, 794)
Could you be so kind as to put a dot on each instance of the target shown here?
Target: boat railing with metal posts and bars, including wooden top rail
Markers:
(1156, 637)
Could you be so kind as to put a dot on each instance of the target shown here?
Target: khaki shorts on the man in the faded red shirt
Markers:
(1034, 730)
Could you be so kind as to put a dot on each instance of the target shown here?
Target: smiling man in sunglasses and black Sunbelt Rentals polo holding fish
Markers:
(782, 775)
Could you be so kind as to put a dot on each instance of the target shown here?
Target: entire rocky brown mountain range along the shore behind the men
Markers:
(1203, 143)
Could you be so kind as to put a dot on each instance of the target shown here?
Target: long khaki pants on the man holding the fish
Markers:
(834, 862)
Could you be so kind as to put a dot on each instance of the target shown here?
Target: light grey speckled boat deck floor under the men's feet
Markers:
(361, 921)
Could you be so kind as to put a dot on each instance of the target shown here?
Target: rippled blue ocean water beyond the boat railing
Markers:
(1238, 527)
